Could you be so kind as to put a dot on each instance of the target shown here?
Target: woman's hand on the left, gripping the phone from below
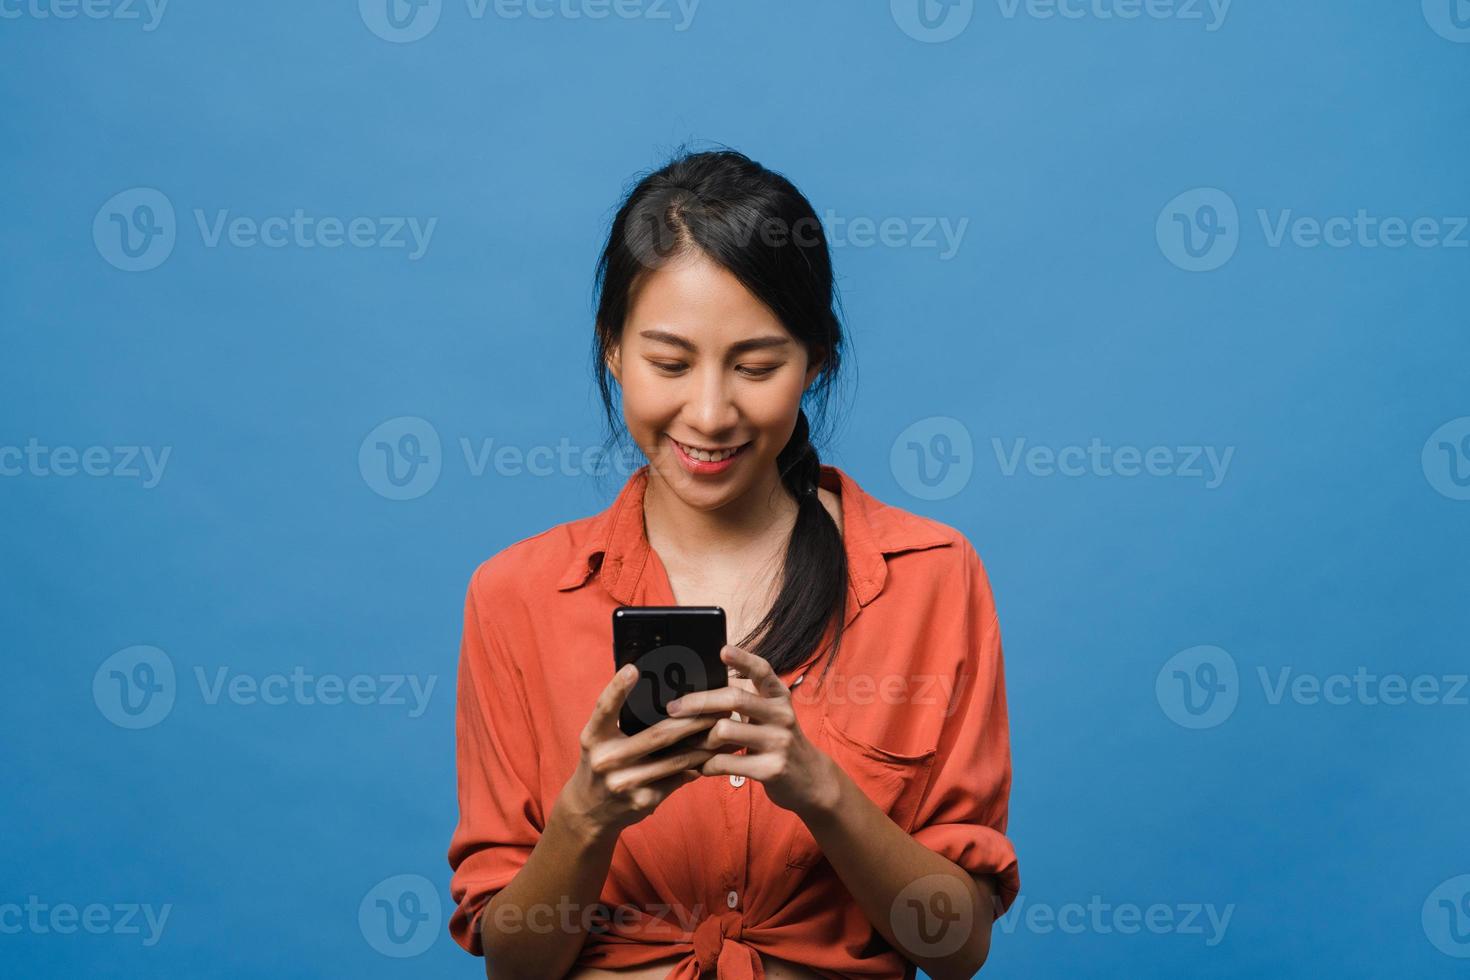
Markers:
(617, 782)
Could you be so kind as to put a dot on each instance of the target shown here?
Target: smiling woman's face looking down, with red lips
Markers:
(705, 365)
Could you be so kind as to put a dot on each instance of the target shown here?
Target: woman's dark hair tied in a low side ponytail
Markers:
(761, 228)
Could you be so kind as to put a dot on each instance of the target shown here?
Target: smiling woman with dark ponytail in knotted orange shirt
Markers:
(846, 822)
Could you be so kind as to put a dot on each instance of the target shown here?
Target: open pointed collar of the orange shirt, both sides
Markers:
(617, 546)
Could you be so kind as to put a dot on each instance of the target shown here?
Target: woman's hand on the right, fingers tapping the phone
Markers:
(796, 774)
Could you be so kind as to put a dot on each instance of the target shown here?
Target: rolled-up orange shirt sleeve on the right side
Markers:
(965, 807)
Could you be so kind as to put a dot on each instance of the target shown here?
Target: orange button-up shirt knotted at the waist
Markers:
(914, 710)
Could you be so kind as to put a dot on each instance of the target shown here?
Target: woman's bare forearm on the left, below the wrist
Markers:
(537, 925)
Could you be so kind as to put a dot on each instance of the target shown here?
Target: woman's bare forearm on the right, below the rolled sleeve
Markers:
(877, 862)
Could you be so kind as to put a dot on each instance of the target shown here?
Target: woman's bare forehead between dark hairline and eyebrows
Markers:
(702, 302)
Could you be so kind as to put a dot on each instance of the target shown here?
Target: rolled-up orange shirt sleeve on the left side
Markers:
(496, 759)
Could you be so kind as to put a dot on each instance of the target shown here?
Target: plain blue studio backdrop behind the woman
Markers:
(1062, 318)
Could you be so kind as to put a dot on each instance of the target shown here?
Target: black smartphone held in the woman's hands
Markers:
(677, 650)
